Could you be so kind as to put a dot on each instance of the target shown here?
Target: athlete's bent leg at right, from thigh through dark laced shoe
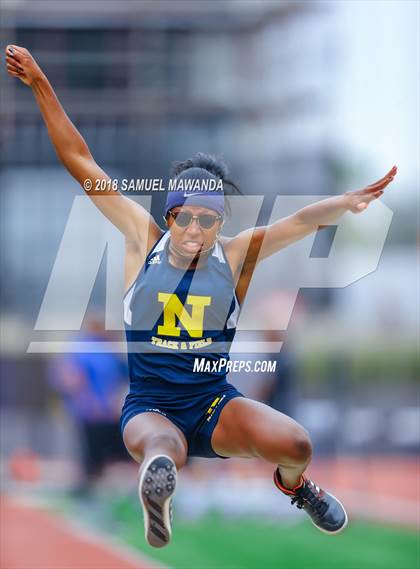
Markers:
(251, 429)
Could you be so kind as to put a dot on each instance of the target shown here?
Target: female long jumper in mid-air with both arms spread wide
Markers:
(183, 292)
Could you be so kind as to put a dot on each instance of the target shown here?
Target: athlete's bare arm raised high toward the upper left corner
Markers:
(130, 218)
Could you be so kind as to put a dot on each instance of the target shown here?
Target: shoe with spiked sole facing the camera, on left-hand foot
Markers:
(156, 487)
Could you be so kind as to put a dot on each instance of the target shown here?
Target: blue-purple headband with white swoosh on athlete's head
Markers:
(196, 186)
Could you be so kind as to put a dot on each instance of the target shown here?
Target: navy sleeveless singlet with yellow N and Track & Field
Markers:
(173, 316)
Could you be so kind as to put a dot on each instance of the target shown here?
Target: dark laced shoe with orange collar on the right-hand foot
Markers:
(326, 512)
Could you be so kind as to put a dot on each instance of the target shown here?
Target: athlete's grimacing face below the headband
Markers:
(193, 238)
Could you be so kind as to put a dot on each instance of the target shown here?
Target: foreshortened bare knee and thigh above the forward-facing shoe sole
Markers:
(149, 434)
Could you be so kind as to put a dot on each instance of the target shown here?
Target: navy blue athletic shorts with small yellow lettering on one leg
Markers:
(193, 409)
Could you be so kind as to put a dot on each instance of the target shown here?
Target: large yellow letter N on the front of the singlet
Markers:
(193, 323)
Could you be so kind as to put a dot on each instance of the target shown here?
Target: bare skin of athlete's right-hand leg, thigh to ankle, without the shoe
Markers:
(248, 428)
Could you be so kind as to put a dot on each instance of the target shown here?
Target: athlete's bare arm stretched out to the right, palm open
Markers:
(265, 241)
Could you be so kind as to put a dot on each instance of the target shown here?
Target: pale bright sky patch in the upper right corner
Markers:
(378, 85)
